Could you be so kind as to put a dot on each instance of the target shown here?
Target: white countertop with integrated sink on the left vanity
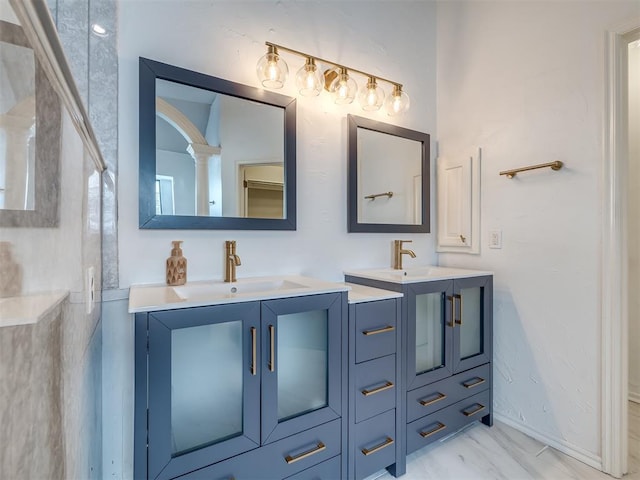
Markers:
(146, 298)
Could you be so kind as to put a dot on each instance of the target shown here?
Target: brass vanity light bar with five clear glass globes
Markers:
(338, 80)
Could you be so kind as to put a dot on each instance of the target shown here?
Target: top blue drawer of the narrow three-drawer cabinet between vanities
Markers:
(375, 329)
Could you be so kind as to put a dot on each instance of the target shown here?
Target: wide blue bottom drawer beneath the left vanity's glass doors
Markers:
(280, 459)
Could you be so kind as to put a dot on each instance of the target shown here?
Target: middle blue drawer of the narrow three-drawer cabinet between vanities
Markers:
(375, 387)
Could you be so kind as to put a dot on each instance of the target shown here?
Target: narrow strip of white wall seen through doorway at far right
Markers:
(633, 228)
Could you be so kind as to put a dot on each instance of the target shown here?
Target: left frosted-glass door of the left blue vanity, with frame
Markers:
(203, 386)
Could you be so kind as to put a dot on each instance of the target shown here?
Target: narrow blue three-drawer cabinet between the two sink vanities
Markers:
(375, 428)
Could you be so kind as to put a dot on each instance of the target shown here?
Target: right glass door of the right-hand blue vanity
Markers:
(472, 339)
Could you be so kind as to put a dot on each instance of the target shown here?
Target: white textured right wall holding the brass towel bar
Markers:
(524, 81)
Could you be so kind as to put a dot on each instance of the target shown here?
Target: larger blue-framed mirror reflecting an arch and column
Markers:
(214, 154)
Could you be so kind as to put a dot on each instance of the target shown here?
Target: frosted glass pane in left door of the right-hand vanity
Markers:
(429, 332)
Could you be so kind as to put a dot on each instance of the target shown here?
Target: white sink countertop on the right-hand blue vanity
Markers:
(415, 274)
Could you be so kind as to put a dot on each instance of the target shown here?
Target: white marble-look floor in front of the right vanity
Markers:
(501, 452)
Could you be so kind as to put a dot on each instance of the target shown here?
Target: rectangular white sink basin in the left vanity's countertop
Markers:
(241, 287)
